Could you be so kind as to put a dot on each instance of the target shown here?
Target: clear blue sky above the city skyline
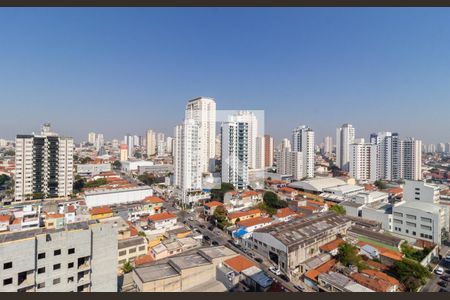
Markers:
(119, 70)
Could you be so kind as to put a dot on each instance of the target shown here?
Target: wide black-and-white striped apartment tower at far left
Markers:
(44, 165)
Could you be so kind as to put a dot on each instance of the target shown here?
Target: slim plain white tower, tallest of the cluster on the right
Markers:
(344, 138)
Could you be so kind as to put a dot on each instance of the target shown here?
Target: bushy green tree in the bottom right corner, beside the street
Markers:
(411, 273)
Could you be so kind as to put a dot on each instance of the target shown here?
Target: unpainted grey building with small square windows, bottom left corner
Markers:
(82, 257)
